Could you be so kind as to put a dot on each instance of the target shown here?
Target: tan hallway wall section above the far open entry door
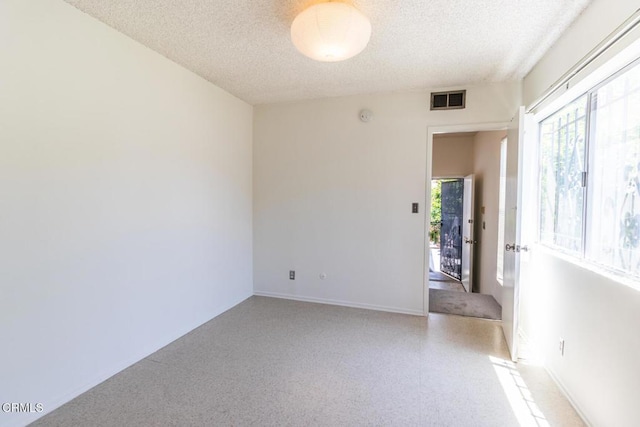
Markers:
(452, 155)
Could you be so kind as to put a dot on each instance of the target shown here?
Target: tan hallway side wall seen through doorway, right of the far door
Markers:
(486, 169)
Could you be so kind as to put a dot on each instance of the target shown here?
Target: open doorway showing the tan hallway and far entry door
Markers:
(463, 230)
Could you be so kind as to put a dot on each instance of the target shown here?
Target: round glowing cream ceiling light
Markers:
(331, 32)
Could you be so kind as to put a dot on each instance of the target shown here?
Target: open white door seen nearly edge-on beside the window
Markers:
(510, 289)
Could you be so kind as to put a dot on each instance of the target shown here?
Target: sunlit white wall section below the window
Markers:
(598, 318)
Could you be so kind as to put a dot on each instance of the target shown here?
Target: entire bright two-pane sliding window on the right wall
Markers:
(590, 175)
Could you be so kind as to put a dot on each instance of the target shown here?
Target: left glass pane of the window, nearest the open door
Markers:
(562, 154)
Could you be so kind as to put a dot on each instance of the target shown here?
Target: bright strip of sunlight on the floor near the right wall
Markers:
(522, 403)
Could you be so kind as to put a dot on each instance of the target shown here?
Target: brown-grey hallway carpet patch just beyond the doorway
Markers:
(464, 304)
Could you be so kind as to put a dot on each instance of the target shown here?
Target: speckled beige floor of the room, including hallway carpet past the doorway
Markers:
(269, 362)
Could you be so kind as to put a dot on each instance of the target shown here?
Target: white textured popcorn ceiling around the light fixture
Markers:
(244, 46)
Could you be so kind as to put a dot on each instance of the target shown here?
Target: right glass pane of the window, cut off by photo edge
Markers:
(614, 236)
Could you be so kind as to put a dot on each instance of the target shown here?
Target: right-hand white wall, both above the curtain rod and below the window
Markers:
(597, 316)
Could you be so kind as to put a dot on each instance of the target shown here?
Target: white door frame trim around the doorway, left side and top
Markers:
(431, 131)
